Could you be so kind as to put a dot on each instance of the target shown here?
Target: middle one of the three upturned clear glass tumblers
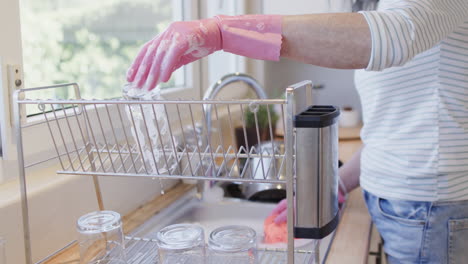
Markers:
(181, 244)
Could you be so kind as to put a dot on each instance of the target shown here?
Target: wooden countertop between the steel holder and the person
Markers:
(352, 237)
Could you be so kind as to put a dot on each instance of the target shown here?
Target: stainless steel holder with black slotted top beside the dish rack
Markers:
(316, 190)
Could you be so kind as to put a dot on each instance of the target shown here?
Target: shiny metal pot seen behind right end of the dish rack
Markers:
(266, 164)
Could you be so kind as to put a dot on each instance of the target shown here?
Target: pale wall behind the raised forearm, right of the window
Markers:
(339, 86)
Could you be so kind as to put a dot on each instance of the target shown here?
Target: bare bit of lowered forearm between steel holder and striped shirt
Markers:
(350, 172)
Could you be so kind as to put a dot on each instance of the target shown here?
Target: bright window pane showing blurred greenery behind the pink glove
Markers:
(92, 42)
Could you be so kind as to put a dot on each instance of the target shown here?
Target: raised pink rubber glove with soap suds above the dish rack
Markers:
(254, 36)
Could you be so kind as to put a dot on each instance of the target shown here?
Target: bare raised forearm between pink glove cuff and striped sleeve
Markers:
(340, 40)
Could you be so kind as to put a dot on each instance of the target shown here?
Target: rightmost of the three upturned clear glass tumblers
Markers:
(232, 245)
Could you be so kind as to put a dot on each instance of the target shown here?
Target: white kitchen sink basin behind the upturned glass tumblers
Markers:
(230, 211)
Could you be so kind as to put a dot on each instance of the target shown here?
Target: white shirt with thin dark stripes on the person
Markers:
(414, 95)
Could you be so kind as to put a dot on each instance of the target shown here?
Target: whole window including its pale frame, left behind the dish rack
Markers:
(85, 41)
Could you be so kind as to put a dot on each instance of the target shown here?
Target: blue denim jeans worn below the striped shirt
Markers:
(421, 232)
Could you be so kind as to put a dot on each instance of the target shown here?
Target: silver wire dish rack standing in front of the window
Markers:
(125, 138)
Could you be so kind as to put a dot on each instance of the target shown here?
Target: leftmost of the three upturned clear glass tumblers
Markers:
(101, 238)
